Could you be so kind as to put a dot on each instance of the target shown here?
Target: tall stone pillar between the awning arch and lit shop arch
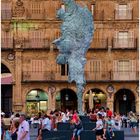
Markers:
(17, 100)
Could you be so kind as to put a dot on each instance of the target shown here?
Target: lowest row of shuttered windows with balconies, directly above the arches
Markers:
(94, 70)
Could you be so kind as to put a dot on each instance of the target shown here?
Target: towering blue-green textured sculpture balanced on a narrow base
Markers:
(77, 33)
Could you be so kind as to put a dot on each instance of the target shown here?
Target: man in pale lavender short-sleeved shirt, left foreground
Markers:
(23, 130)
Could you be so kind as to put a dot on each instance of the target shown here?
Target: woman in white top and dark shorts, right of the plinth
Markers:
(99, 127)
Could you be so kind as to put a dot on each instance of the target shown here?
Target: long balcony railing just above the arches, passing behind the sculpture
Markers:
(103, 76)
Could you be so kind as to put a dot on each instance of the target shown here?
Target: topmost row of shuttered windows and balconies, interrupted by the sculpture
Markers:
(46, 10)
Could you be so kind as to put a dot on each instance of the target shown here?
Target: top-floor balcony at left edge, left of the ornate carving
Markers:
(6, 14)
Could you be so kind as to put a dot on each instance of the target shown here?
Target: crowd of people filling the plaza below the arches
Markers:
(17, 127)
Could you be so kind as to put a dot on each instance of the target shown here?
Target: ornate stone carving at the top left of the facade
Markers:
(19, 9)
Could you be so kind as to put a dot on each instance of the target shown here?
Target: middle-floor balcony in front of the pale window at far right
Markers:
(129, 43)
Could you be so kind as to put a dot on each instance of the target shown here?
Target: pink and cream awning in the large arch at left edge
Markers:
(6, 79)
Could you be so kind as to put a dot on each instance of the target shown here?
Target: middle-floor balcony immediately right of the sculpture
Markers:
(99, 43)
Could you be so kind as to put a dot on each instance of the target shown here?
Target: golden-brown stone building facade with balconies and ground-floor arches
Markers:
(33, 82)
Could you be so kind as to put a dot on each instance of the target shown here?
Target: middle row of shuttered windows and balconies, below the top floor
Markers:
(43, 39)
